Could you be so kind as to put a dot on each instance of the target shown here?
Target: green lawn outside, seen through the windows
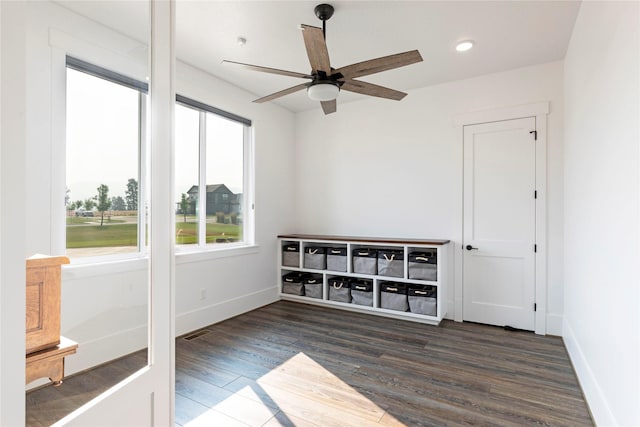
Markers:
(94, 236)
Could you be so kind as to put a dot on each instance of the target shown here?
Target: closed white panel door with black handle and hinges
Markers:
(499, 223)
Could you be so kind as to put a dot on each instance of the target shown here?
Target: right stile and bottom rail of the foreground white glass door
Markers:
(146, 397)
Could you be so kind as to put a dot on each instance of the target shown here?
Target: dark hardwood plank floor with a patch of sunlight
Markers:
(295, 364)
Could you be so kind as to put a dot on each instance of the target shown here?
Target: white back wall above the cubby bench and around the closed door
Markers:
(386, 168)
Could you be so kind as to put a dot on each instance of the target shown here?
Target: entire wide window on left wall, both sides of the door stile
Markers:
(105, 172)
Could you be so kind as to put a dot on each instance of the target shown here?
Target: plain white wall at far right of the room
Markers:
(602, 208)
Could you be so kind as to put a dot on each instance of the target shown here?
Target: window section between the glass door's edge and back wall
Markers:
(213, 152)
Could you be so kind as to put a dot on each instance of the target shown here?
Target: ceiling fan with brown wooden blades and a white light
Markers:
(326, 81)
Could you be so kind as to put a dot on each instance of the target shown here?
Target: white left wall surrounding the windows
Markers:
(104, 305)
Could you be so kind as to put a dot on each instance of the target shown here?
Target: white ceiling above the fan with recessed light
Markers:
(508, 35)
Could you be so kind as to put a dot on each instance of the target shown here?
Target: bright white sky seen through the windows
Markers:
(102, 141)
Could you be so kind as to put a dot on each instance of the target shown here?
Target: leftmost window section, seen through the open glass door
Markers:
(104, 129)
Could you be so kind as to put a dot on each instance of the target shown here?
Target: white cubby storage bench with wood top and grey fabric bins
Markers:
(358, 265)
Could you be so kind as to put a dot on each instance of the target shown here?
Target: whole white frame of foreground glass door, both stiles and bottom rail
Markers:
(154, 384)
